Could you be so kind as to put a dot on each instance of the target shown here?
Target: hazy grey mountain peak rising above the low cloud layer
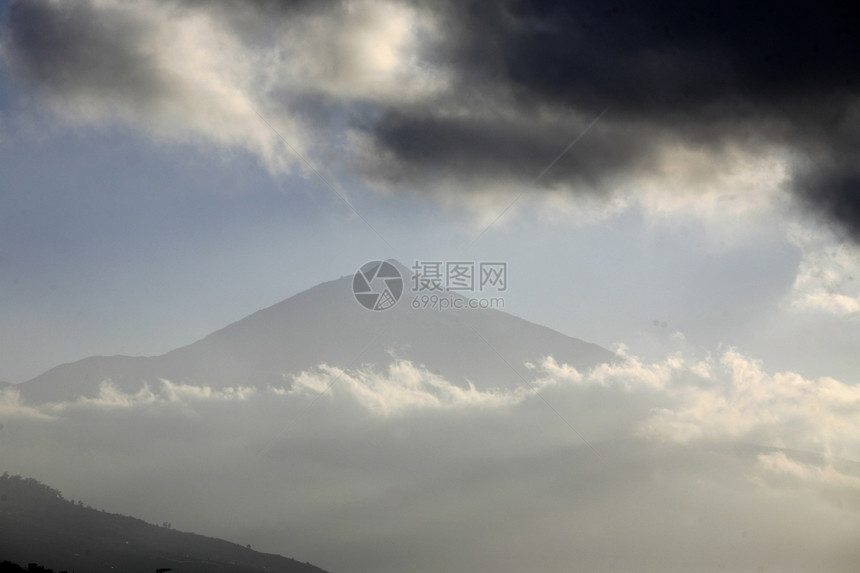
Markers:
(326, 325)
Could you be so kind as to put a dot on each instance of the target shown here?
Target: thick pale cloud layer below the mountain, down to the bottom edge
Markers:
(710, 463)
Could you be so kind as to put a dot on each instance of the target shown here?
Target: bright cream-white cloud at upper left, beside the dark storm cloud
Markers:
(189, 74)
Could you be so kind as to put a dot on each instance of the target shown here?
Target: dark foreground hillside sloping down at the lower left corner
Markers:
(38, 525)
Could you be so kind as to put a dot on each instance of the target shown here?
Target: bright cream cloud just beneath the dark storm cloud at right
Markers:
(728, 194)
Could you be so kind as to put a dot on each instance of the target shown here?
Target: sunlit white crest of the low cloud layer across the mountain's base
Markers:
(681, 399)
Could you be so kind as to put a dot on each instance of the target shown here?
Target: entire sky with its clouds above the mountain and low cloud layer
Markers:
(147, 199)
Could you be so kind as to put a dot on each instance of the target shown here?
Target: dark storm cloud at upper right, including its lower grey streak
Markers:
(708, 73)
